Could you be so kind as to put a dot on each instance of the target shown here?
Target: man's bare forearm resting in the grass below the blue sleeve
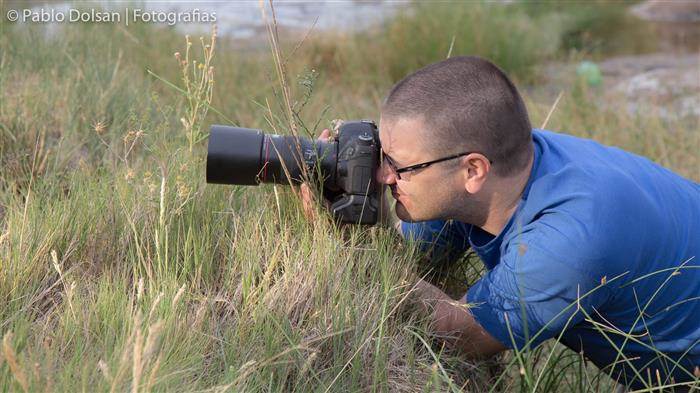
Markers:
(452, 321)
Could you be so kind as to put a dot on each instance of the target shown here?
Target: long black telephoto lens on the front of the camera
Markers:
(248, 157)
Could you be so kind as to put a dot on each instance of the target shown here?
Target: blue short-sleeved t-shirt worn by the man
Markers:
(602, 252)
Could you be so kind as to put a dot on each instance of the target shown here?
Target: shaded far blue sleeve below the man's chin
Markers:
(442, 241)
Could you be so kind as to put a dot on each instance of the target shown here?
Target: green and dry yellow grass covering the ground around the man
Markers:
(121, 270)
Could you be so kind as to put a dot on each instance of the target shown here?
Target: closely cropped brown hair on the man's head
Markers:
(467, 103)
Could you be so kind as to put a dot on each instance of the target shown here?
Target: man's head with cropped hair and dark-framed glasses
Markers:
(460, 105)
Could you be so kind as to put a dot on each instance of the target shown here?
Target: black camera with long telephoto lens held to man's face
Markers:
(346, 165)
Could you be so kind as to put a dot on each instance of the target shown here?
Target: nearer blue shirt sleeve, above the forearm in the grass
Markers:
(534, 293)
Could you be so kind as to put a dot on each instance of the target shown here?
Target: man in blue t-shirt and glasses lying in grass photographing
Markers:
(585, 243)
